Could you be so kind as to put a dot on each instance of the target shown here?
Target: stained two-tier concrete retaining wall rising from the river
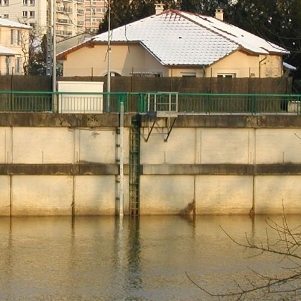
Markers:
(58, 165)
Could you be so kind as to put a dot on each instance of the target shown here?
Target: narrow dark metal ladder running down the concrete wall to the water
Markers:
(134, 167)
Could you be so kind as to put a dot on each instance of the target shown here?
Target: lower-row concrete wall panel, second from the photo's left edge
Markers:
(42, 195)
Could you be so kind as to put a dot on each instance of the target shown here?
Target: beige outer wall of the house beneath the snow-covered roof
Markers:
(133, 58)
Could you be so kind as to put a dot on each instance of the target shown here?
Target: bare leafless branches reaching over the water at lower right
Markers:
(286, 286)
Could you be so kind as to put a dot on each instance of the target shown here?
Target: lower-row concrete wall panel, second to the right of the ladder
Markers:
(224, 194)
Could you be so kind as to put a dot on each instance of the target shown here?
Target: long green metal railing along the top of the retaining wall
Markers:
(144, 102)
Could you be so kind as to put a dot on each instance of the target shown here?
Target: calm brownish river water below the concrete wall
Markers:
(150, 258)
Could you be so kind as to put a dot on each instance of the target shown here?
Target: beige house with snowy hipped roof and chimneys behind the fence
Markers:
(175, 43)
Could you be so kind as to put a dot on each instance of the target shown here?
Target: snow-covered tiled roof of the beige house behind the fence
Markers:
(182, 38)
